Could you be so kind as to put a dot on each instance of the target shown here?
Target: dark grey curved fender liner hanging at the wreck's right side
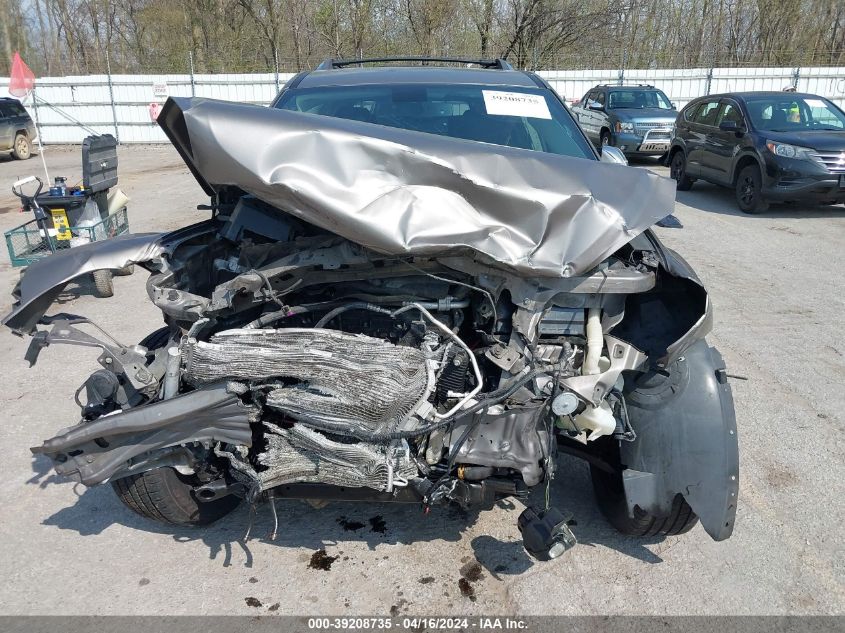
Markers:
(686, 441)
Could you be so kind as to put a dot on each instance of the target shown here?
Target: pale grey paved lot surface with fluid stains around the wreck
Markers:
(777, 285)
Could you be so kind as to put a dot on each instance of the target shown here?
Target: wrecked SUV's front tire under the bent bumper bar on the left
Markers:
(166, 496)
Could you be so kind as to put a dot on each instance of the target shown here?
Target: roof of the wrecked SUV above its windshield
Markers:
(417, 74)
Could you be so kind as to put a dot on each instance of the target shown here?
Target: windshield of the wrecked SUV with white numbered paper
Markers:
(516, 117)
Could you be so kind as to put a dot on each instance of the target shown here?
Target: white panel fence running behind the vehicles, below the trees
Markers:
(122, 108)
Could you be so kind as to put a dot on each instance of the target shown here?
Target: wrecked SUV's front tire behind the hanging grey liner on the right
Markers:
(610, 496)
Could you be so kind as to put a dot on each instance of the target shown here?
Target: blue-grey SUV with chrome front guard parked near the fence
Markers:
(636, 119)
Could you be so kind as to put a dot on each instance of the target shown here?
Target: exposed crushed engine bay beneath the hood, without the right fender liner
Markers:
(315, 361)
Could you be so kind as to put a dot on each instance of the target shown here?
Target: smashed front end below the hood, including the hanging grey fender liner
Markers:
(297, 363)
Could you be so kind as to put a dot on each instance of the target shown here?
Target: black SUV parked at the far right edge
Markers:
(768, 146)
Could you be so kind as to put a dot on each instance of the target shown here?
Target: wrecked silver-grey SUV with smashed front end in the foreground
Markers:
(388, 314)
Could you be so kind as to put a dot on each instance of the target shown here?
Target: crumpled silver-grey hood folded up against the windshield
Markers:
(401, 192)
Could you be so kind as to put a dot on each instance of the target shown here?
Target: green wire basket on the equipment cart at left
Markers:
(27, 243)
